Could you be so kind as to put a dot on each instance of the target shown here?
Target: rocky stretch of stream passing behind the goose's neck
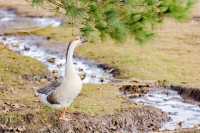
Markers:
(45, 51)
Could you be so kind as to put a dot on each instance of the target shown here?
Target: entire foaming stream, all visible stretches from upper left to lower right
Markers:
(41, 48)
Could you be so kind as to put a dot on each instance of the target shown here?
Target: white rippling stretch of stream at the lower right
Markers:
(181, 114)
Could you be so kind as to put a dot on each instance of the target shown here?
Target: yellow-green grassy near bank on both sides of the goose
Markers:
(20, 107)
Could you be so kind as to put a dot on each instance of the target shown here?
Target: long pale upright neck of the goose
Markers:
(69, 66)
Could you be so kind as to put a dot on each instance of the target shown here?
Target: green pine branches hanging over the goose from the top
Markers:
(119, 19)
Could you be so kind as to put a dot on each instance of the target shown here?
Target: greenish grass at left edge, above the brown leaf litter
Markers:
(14, 67)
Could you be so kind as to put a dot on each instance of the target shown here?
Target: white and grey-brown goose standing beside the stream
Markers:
(61, 95)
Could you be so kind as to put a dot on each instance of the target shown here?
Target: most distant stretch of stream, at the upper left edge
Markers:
(9, 22)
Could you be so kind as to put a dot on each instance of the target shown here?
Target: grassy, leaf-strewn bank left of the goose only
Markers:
(17, 98)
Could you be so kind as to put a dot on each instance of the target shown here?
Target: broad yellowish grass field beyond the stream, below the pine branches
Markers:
(172, 55)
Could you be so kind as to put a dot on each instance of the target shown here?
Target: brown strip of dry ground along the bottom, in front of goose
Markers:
(143, 119)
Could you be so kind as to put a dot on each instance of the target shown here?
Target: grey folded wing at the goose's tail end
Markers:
(49, 88)
